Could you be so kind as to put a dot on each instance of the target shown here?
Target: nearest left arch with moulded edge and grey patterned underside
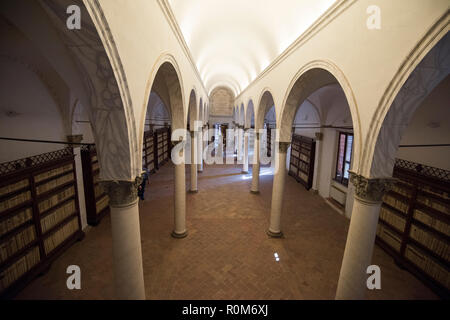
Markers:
(96, 74)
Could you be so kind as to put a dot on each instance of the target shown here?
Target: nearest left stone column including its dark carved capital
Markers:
(126, 239)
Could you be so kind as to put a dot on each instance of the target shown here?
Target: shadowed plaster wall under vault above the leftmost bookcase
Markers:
(35, 114)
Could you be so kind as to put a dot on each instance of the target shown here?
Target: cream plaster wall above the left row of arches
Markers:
(144, 38)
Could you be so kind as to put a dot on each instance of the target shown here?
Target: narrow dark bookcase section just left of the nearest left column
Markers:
(97, 201)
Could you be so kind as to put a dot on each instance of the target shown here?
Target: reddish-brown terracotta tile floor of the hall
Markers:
(227, 254)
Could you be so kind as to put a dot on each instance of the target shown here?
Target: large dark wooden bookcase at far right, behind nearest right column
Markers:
(414, 224)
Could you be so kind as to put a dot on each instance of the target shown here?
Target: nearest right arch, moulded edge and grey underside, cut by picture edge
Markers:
(421, 72)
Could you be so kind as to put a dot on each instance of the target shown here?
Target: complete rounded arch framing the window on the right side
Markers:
(310, 78)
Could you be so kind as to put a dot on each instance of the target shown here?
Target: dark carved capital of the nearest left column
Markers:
(122, 193)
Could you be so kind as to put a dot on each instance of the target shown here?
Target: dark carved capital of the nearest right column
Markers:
(370, 190)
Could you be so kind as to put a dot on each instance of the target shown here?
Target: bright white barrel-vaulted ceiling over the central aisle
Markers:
(233, 41)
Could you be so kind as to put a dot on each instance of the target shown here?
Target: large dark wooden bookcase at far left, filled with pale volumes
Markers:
(39, 216)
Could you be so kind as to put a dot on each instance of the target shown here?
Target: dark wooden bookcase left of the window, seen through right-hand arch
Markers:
(301, 167)
